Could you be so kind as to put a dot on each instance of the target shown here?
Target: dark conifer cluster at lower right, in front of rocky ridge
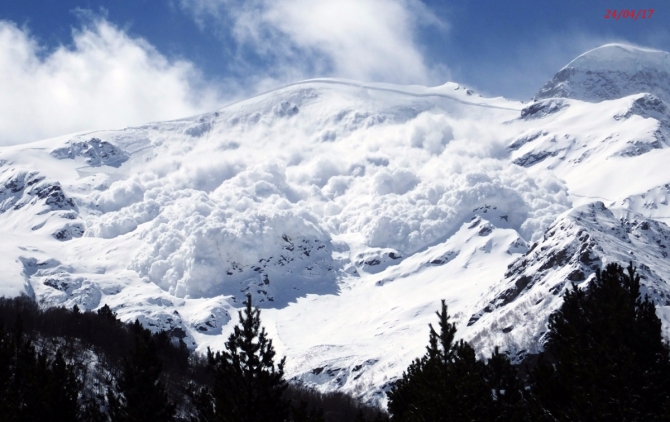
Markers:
(604, 360)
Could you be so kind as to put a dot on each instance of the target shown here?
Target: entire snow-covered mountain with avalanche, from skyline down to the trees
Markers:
(349, 210)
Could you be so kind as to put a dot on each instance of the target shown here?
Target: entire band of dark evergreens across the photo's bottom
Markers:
(604, 359)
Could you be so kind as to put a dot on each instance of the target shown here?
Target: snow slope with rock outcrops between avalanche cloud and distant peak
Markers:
(610, 151)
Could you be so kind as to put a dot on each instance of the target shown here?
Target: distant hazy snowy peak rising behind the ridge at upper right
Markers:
(610, 72)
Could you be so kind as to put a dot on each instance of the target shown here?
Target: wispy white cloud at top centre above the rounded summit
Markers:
(373, 40)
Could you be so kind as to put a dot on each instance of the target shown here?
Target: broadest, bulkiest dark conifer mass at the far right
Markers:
(605, 356)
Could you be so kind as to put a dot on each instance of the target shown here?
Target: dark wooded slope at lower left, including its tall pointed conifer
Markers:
(66, 365)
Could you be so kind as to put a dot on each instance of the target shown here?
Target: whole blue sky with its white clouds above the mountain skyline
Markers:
(71, 65)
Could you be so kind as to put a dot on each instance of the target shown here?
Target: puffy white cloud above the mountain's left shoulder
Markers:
(106, 79)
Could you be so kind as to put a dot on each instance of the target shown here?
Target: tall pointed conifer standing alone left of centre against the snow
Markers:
(248, 386)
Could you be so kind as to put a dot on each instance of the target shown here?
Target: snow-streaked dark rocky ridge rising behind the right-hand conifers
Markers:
(585, 239)
